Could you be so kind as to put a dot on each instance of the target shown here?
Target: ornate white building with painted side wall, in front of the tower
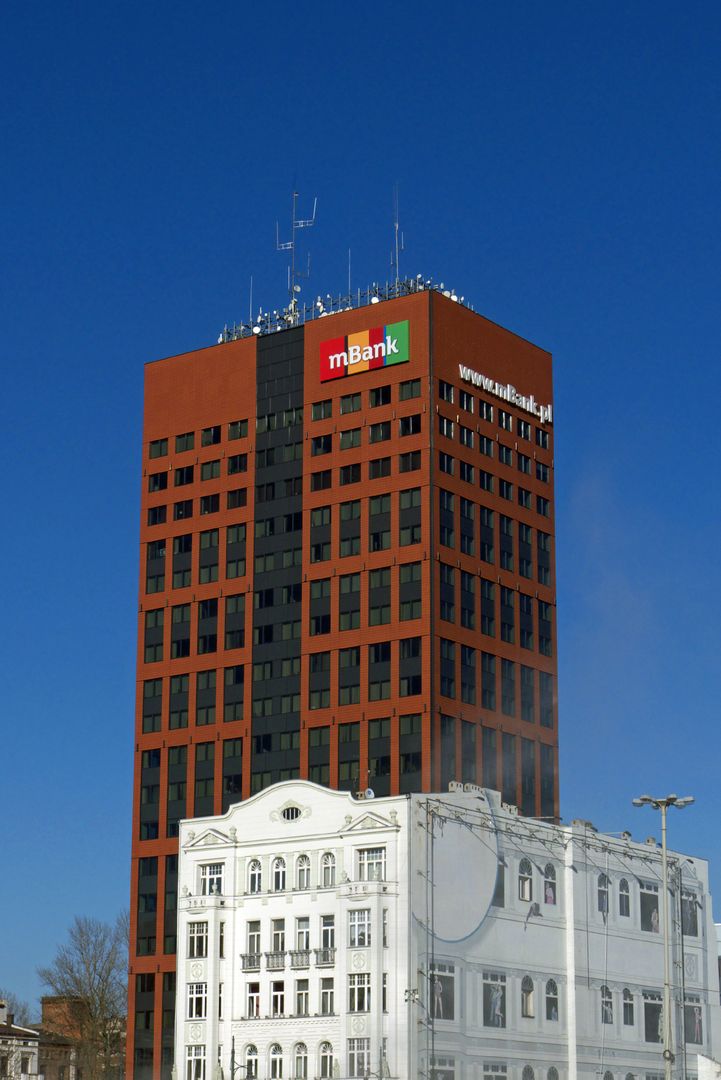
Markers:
(438, 937)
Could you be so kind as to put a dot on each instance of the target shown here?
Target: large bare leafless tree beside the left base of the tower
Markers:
(90, 973)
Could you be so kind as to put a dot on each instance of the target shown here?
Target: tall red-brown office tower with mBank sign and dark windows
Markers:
(348, 575)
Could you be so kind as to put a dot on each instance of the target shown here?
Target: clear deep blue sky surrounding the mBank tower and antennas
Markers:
(557, 165)
